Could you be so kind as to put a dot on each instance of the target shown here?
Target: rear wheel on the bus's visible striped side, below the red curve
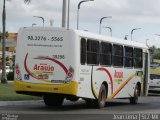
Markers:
(102, 97)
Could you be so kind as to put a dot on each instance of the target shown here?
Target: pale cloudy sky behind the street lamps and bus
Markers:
(126, 15)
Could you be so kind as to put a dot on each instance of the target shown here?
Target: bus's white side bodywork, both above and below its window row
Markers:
(123, 84)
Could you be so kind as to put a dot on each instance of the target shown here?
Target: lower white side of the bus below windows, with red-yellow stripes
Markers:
(121, 82)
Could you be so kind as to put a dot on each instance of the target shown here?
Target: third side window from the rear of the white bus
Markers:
(105, 53)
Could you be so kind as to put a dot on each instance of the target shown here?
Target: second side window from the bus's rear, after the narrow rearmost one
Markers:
(92, 52)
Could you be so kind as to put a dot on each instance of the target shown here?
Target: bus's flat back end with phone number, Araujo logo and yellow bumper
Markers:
(44, 56)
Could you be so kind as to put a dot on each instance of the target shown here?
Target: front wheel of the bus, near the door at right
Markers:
(134, 99)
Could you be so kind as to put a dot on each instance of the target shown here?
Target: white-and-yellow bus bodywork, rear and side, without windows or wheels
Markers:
(48, 61)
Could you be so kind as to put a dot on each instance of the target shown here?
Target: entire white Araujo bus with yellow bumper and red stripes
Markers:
(59, 63)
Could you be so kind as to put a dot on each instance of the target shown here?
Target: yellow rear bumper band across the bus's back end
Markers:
(69, 88)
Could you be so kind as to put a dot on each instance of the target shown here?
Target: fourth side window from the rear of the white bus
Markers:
(118, 55)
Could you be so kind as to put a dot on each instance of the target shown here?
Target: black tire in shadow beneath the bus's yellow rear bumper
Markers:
(53, 100)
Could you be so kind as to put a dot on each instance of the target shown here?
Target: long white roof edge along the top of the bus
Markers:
(93, 36)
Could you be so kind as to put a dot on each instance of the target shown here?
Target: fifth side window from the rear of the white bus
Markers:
(128, 56)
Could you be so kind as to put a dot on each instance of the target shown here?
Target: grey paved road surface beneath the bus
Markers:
(148, 108)
